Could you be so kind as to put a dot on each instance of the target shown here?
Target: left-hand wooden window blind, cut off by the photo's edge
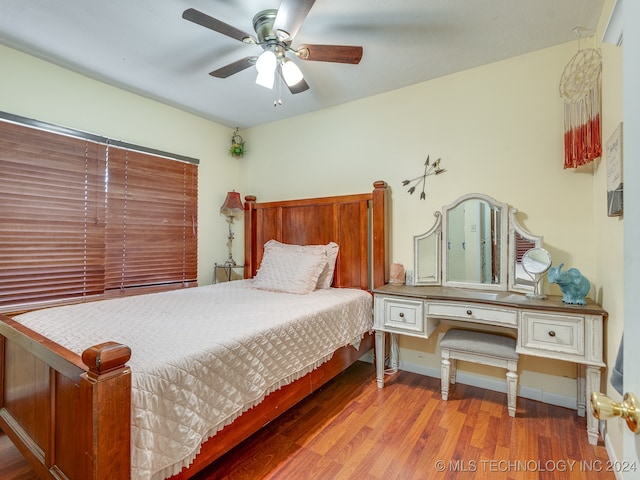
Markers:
(52, 216)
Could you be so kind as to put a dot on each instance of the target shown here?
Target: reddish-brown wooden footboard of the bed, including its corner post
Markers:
(69, 416)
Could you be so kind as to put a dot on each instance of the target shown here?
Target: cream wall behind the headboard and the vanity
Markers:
(498, 129)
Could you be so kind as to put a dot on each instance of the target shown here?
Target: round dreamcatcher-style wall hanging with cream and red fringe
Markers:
(580, 88)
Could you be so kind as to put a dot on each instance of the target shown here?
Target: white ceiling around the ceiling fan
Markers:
(145, 46)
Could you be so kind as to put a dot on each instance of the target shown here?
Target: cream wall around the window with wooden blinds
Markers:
(36, 89)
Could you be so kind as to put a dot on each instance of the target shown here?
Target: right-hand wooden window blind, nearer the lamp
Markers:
(151, 220)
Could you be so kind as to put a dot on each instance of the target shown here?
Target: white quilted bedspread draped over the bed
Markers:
(203, 356)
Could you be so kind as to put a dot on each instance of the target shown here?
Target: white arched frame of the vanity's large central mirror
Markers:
(502, 235)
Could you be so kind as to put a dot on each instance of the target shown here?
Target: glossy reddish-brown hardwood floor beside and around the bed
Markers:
(352, 430)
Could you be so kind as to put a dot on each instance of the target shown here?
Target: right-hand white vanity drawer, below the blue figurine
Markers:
(552, 333)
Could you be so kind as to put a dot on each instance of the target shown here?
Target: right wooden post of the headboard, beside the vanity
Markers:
(380, 240)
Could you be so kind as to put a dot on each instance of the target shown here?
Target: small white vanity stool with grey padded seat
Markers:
(479, 347)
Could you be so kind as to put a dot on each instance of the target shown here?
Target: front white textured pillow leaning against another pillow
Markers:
(290, 271)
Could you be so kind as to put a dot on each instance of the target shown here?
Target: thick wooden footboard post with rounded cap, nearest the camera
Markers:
(106, 393)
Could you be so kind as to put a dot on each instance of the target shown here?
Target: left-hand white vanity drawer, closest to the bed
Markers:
(401, 315)
